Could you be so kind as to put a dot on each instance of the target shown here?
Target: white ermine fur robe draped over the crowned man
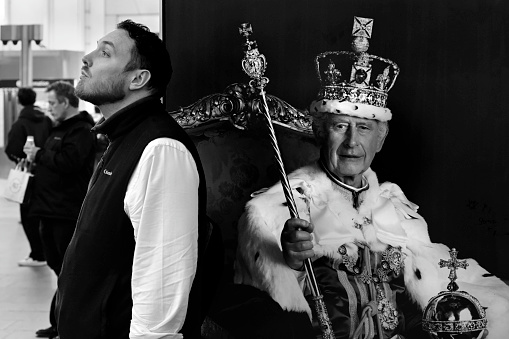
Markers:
(395, 221)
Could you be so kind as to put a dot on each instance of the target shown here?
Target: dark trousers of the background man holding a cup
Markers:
(56, 234)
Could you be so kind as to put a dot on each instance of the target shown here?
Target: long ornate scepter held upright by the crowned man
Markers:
(254, 65)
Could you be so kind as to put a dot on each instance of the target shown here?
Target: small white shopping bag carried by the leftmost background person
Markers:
(18, 183)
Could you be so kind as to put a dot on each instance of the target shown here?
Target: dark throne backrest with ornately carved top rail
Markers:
(232, 139)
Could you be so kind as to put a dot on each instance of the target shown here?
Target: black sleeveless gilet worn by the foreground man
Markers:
(94, 288)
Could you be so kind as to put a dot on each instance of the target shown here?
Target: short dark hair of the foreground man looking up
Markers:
(150, 53)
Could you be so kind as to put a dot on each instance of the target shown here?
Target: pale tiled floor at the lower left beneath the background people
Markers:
(25, 292)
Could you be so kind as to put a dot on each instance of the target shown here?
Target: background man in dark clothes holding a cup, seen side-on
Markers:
(64, 167)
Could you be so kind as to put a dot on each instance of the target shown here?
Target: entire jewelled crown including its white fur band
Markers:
(354, 82)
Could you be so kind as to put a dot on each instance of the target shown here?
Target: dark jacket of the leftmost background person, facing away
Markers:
(31, 121)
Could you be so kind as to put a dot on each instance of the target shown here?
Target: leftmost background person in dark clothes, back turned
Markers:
(31, 121)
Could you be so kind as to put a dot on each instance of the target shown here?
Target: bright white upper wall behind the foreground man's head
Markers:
(76, 25)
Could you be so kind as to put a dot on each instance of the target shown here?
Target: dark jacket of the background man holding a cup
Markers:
(64, 167)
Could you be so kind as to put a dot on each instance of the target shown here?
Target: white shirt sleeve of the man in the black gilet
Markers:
(162, 203)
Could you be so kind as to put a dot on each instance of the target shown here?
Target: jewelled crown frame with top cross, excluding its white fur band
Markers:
(356, 76)
